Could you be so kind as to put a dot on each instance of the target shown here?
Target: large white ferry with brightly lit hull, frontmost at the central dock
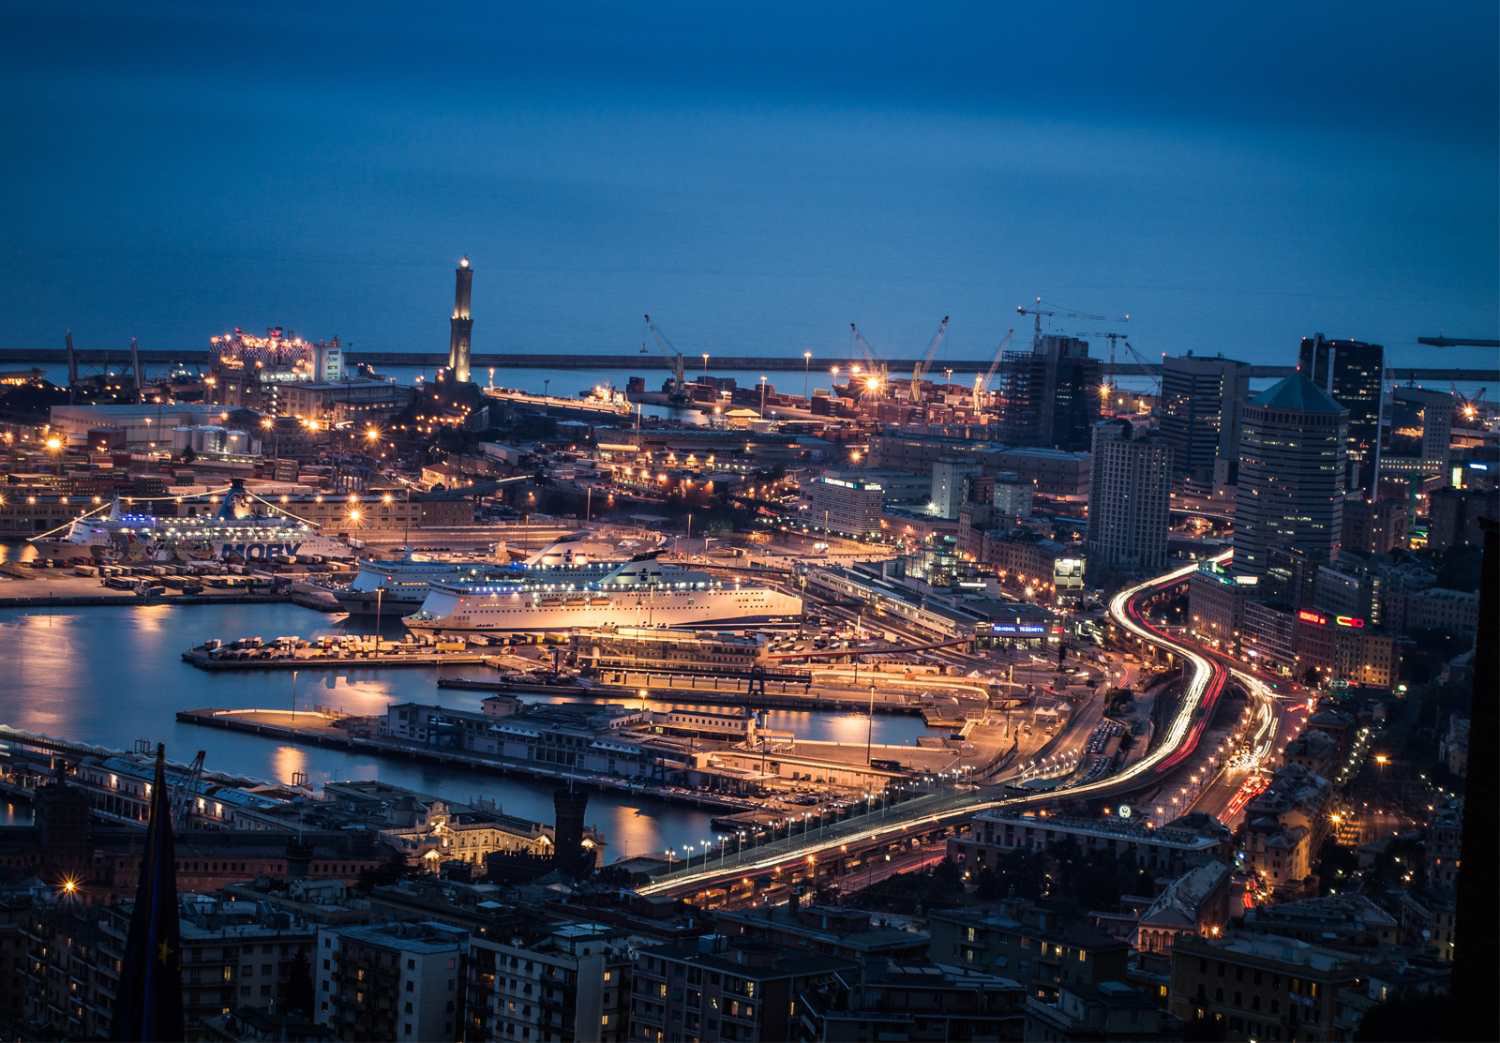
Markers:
(634, 595)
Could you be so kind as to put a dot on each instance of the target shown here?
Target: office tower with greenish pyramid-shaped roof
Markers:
(1294, 455)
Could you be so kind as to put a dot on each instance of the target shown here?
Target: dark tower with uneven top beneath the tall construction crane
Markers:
(1052, 394)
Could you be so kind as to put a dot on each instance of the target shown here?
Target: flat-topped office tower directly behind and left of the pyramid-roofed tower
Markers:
(1202, 401)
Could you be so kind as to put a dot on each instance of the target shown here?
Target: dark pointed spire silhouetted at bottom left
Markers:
(149, 1005)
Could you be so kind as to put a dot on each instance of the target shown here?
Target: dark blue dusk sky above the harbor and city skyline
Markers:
(755, 176)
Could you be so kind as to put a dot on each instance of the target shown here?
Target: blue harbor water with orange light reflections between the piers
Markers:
(112, 676)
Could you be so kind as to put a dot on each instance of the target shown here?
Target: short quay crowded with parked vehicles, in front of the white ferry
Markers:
(334, 652)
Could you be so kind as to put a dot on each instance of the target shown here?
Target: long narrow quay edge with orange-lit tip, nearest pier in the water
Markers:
(320, 729)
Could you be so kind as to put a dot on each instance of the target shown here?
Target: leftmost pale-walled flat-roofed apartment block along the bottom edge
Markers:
(392, 982)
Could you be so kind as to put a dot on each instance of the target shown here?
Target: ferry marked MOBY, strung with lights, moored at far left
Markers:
(233, 534)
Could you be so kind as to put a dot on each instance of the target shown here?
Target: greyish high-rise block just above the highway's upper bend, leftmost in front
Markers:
(1129, 500)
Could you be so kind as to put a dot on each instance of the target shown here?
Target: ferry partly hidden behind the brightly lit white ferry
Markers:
(401, 586)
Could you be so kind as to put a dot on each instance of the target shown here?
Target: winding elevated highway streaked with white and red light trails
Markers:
(1205, 684)
